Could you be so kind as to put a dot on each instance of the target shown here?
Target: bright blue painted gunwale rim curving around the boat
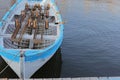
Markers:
(34, 52)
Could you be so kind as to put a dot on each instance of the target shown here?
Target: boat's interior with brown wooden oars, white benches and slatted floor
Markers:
(33, 28)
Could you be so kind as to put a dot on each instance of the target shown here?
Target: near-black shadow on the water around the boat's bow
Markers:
(51, 69)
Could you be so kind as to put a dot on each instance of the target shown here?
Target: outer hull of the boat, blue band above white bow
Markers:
(33, 59)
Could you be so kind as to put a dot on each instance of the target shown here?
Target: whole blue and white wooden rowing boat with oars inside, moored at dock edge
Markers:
(30, 33)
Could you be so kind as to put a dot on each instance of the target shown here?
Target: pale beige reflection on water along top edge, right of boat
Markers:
(90, 5)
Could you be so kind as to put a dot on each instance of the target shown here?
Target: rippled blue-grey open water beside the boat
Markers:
(91, 45)
